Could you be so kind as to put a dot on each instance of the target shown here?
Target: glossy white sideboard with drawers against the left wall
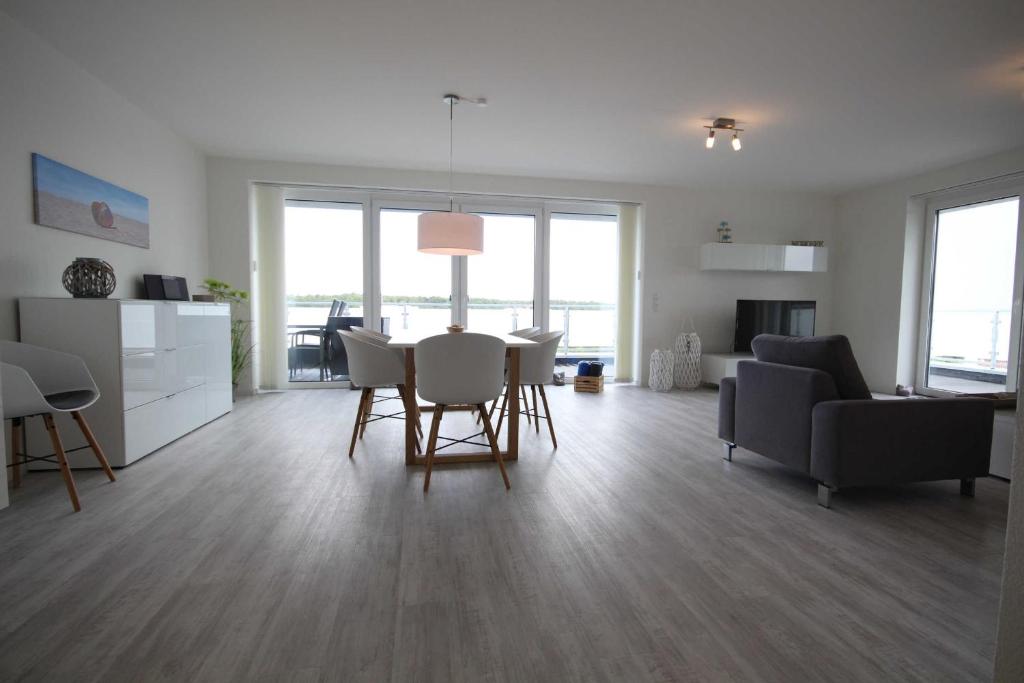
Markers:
(163, 369)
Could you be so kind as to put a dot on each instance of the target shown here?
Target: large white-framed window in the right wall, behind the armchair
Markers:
(971, 341)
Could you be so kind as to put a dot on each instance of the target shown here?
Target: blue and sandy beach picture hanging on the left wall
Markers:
(70, 200)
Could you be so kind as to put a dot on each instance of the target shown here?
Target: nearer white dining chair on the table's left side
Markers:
(373, 366)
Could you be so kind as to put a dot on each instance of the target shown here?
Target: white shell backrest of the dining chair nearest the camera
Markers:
(464, 368)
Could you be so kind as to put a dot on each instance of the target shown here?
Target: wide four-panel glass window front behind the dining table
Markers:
(352, 259)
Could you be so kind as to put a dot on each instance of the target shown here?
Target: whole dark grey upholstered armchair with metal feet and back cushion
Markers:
(804, 403)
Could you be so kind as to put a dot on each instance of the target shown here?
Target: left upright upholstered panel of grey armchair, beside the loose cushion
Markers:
(774, 410)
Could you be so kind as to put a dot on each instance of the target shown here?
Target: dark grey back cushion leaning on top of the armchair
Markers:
(830, 354)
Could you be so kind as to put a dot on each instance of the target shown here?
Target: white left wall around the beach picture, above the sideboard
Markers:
(49, 105)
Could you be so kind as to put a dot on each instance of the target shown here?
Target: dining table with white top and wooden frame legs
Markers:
(407, 341)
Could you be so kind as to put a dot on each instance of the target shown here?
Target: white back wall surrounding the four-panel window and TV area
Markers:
(676, 223)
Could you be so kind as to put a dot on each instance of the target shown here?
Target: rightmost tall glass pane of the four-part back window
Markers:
(584, 287)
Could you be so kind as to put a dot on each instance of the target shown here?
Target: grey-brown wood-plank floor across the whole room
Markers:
(253, 549)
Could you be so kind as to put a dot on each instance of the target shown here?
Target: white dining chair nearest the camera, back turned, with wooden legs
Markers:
(461, 369)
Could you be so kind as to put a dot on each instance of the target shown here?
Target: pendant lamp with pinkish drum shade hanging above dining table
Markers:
(447, 232)
